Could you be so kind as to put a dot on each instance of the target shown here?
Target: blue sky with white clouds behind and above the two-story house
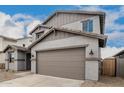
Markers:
(19, 20)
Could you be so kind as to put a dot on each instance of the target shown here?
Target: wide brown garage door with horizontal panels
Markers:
(66, 63)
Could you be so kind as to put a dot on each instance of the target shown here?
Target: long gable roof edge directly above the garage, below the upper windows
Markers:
(88, 34)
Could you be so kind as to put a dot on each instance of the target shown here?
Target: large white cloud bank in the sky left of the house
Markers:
(16, 26)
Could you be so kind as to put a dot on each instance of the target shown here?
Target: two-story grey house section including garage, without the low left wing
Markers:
(67, 45)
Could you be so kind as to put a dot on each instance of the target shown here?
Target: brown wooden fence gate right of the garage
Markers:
(109, 67)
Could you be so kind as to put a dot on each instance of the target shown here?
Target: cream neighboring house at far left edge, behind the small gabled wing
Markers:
(4, 42)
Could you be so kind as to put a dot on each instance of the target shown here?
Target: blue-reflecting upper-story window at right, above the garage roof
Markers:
(87, 26)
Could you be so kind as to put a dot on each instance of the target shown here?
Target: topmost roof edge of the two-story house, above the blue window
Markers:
(99, 13)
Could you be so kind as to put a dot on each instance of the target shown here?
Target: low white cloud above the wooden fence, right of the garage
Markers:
(110, 51)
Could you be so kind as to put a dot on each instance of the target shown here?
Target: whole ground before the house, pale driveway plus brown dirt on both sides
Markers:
(29, 80)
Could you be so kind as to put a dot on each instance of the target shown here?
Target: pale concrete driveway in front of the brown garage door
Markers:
(36, 80)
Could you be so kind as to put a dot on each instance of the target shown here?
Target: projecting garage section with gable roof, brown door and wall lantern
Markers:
(66, 54)
